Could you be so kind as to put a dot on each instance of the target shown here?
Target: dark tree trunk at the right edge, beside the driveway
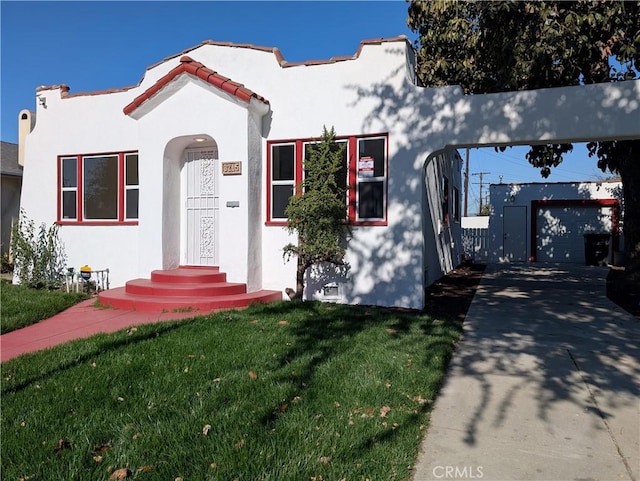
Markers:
(629, 170)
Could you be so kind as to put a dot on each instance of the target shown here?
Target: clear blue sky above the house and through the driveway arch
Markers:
(99, 45)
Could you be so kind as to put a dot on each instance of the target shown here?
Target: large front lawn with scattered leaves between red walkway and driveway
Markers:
(287, 391)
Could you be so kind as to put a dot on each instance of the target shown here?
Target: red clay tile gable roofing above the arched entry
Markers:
(190, 66)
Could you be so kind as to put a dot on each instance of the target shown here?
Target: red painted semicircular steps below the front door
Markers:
(185, 288)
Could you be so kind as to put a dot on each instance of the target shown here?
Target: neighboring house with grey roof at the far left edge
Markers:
(11, 174)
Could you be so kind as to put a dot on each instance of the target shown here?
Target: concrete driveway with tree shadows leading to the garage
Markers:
(545, 384)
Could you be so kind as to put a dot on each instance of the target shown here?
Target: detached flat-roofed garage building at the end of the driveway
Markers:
(567, 222)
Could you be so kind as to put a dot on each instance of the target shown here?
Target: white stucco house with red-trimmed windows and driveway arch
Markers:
(194, 165)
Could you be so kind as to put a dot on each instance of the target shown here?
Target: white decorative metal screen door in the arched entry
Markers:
(201, 203)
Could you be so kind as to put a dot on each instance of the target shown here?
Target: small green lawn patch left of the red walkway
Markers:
(22, 306)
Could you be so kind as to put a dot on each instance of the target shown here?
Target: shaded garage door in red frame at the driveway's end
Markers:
(561, 229)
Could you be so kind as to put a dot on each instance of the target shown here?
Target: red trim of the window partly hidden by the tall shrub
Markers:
(352, 178)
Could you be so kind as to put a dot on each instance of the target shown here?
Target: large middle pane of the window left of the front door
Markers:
(101, 187)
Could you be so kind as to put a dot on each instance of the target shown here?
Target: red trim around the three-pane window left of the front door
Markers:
(80, 220)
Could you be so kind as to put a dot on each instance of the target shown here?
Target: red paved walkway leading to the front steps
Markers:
(79, 321)
